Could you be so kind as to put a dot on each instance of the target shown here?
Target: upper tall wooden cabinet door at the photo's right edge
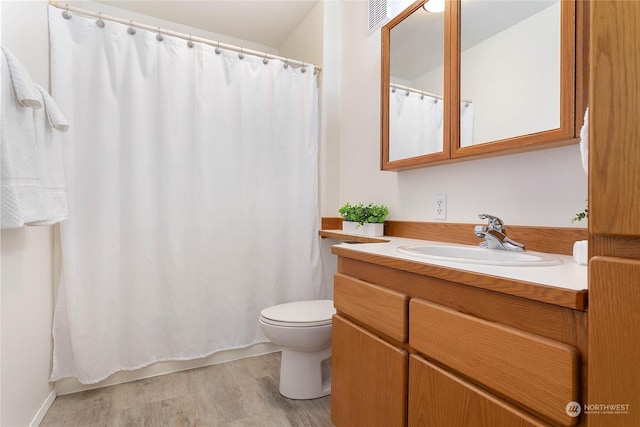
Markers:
(614, 187)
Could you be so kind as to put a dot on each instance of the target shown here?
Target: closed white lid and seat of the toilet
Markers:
(301, 313)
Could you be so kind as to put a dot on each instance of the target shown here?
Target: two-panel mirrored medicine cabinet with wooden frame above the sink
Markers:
(502, 72)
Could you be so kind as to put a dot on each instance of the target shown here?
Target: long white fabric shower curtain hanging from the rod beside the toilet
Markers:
(193, 197)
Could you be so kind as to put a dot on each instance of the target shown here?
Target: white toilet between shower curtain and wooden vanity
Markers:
(303, 330)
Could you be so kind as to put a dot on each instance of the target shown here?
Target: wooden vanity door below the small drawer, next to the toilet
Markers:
(368, 378)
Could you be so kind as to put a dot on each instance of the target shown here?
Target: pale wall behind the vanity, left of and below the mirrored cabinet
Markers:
(544, 188)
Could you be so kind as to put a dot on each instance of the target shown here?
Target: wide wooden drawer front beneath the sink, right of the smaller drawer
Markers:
(539, 373)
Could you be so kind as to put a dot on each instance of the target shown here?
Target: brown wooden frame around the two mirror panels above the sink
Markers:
(574, 18)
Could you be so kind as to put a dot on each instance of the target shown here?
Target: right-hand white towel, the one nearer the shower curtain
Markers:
(49, 145)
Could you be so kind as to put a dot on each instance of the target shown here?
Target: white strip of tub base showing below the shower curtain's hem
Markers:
(71, 385)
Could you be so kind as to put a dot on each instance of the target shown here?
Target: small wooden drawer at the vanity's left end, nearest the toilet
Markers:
(382, 309)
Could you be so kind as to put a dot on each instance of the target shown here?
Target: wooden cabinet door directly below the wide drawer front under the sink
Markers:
(438, 398)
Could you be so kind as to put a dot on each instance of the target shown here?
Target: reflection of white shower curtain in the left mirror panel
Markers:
(415, 124)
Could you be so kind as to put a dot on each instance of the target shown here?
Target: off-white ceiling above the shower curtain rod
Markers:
(266, 22)
